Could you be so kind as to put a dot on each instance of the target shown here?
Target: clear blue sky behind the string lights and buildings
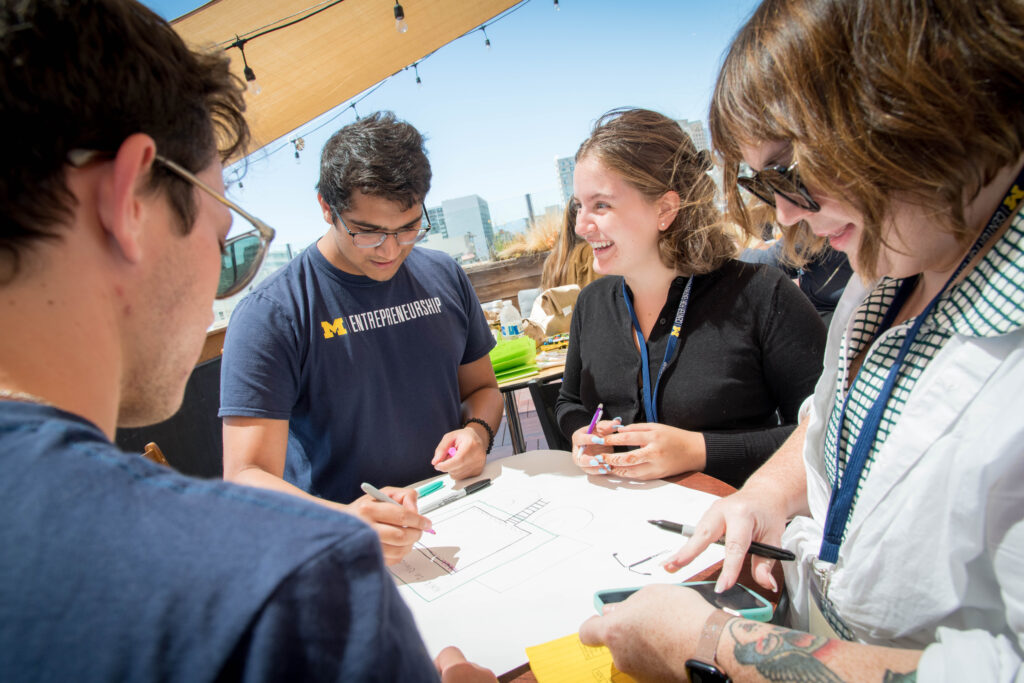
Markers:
(497, 119)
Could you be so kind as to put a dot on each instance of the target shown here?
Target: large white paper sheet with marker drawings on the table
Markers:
(518, 564)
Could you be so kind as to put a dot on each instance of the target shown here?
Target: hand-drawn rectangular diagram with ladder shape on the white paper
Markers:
(500, 538)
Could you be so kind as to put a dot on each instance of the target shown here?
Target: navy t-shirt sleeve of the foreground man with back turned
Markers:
(337, 618)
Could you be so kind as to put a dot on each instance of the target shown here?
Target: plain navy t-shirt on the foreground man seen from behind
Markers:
(114, 569)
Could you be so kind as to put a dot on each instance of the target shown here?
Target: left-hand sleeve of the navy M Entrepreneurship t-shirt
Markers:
(260, 373)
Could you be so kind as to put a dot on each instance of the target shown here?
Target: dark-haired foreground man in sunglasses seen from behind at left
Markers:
(112, 225)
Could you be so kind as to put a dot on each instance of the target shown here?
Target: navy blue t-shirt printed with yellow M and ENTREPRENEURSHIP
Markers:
(366, 372)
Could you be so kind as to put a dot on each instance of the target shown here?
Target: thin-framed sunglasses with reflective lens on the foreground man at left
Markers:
(241, 257)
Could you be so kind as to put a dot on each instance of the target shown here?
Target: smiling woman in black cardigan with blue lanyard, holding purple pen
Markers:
(704, 360)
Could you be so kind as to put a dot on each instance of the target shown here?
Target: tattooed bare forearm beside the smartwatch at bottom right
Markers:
(751, 652)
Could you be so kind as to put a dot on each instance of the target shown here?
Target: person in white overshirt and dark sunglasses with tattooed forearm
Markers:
(894, 132)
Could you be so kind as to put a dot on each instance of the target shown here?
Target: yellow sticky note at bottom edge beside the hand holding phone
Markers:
(569, 661)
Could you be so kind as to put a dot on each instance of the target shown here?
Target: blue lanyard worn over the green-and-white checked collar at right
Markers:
(841, 502)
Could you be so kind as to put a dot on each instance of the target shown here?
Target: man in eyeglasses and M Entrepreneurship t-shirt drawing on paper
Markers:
(364, 360)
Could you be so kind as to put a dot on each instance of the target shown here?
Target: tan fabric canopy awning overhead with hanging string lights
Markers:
(308, 69)
